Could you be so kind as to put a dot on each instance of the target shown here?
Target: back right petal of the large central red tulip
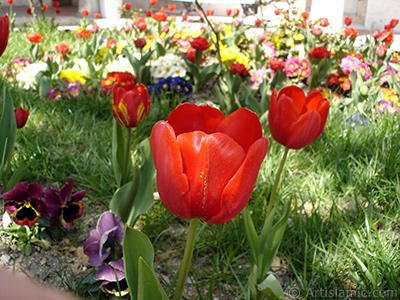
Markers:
(243, 126)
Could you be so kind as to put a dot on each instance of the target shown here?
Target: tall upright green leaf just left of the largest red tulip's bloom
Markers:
(144, 199)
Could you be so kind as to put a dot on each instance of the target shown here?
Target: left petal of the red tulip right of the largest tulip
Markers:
(285, 115)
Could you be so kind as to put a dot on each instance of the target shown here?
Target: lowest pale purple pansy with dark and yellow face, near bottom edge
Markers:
(110, 274)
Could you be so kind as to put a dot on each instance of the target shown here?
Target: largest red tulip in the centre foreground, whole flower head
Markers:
(207, 164)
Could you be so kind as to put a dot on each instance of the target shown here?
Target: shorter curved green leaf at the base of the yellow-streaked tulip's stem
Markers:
(123, 200)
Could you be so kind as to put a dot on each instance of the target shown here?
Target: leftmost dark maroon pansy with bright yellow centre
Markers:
(24, 203)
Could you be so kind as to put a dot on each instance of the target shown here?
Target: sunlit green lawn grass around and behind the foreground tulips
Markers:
(343, 232)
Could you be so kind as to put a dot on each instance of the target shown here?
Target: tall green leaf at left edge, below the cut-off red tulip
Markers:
(8, 128)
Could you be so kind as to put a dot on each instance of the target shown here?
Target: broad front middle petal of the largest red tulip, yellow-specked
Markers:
(210, 161)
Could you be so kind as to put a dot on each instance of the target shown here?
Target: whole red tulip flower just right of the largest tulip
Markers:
(295, 120)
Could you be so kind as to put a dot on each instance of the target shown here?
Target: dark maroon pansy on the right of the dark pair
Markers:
(61, 205)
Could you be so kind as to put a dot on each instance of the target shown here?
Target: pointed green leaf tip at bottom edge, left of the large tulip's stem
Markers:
(149, 287)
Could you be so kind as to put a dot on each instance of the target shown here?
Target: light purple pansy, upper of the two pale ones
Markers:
(106, 240)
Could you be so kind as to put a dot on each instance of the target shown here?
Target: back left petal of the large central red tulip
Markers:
(189, 117)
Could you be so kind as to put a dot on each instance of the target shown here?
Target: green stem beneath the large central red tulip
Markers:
(187, 257)
